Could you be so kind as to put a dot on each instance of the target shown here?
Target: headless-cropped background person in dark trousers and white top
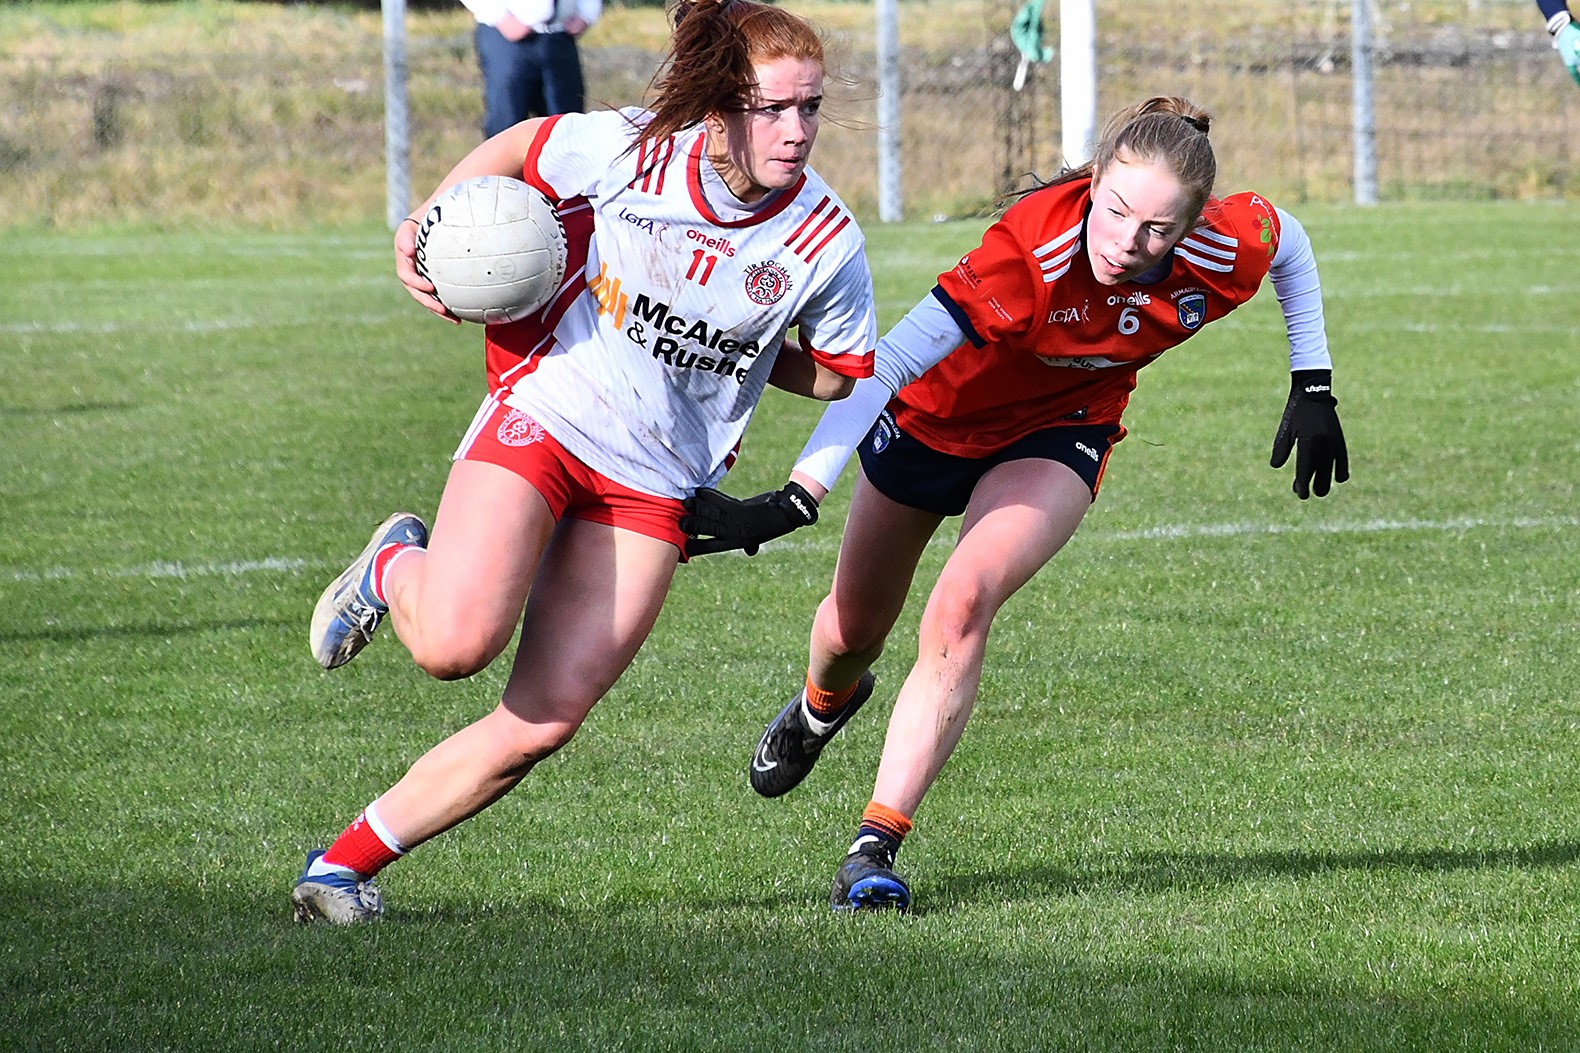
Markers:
(527, 51)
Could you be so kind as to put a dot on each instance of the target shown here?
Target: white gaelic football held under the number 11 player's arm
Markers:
(494, 247)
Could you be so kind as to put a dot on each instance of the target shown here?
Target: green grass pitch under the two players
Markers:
(1247, 774)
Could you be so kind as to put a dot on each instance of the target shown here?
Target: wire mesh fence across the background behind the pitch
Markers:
(288, 126)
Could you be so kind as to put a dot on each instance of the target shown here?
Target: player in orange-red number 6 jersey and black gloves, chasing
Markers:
(999, 398)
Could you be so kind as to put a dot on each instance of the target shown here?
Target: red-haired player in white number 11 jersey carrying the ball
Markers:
(702, 240)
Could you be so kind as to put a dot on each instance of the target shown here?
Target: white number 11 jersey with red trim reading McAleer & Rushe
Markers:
(663, 344)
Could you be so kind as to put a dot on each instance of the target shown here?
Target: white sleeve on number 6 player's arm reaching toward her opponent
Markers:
(906, 352)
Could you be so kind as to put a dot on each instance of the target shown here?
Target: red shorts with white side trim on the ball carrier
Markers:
(503, 436)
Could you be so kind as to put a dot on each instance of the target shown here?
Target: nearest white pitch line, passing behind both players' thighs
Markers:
(1173, 532)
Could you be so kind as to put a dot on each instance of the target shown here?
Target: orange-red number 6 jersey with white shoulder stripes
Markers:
(1050, 344)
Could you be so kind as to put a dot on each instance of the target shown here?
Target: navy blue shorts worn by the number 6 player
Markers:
(912, 474)
